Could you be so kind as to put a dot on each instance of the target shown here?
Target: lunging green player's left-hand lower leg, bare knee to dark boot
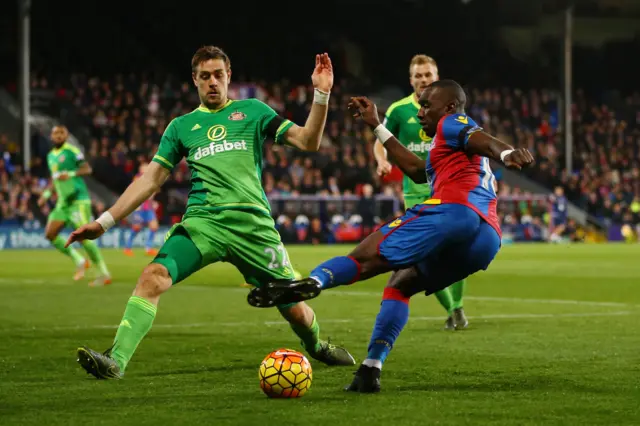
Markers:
(136, 323)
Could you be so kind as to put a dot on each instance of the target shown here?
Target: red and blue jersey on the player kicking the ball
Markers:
(457, 177)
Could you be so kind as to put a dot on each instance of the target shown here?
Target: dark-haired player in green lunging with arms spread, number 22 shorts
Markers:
(228, 216)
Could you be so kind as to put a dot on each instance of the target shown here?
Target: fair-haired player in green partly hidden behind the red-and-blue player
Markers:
(401, 119)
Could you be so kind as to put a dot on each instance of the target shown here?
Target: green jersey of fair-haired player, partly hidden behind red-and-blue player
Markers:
(402, 120)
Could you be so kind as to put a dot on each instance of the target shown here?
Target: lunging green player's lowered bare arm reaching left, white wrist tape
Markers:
(135, 194)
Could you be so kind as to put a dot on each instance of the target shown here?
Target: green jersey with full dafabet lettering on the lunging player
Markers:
(223, 149)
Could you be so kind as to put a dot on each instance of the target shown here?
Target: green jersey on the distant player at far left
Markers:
(67, 158)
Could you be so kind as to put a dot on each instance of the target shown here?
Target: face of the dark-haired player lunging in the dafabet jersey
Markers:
(212, 80)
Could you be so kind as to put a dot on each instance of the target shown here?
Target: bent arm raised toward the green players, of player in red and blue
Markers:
(410, 164)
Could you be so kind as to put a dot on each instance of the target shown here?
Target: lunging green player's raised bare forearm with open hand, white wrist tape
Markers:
(308, 138)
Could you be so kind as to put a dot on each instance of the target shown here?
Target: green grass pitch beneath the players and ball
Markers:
(554, 338)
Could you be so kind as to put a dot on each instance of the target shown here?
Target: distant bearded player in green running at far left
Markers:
(73, 207)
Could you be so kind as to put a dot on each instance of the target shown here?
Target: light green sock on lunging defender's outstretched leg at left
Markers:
(136, 323)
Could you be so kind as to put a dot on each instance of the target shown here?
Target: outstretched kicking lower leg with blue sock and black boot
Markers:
(362, 263)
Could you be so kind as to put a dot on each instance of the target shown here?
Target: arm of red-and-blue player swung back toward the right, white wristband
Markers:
(482, 143)
